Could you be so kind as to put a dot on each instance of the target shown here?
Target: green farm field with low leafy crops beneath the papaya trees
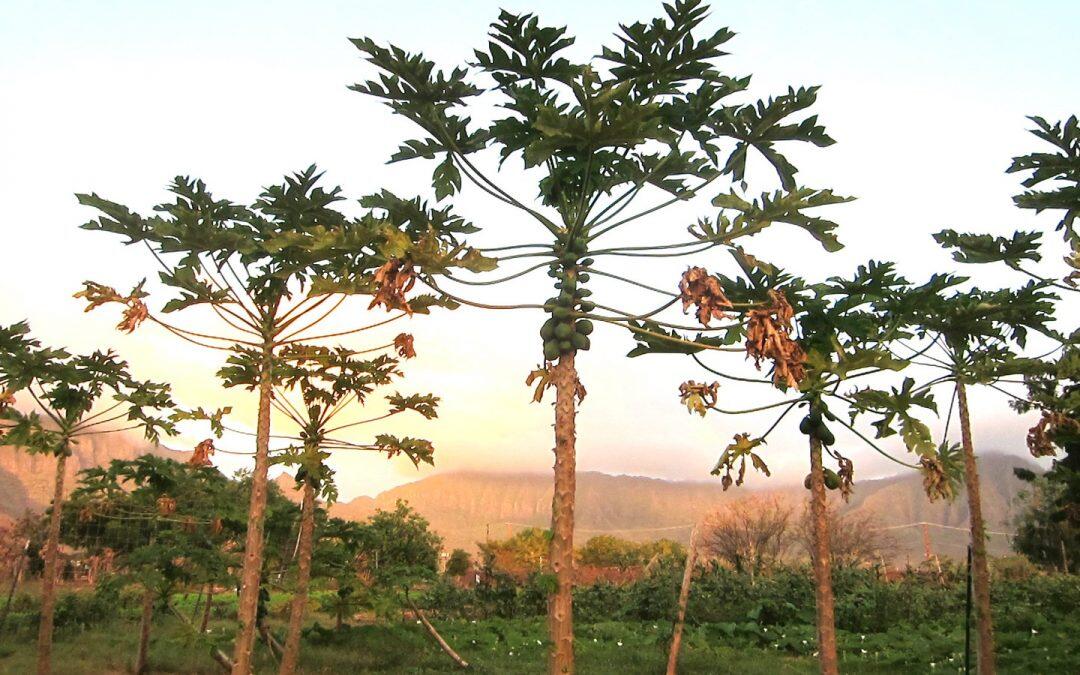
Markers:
(911, 626)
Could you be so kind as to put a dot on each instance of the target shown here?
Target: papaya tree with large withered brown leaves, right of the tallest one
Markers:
(816, 340)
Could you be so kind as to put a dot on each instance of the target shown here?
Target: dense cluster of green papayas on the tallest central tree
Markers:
(561, 333)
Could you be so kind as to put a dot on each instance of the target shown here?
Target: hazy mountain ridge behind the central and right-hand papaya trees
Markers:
(467, 508)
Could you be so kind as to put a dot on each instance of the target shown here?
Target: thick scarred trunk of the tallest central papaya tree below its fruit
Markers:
(561, 605)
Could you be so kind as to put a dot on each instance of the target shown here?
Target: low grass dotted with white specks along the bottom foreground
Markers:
(519, 646)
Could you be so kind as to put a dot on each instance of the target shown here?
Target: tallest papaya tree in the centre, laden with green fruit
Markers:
(611, 142)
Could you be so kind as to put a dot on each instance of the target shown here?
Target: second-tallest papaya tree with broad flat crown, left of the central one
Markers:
(272, 274)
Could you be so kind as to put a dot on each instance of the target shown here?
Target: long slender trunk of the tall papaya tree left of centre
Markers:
(256, 515)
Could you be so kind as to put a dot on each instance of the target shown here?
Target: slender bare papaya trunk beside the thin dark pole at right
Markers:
(981, 571)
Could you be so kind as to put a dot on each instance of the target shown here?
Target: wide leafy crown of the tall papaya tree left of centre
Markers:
(292, 239)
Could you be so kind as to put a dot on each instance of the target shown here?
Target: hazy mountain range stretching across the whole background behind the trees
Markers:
(466, 508)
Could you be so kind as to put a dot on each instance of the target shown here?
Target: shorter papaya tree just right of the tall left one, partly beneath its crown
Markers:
(330, 383)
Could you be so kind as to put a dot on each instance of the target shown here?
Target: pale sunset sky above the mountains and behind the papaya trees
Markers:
(927, 102)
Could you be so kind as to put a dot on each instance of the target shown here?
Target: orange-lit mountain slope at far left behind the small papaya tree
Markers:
(28, 481)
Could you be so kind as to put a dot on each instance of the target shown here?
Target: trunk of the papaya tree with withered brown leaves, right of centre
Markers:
(822, 564)
